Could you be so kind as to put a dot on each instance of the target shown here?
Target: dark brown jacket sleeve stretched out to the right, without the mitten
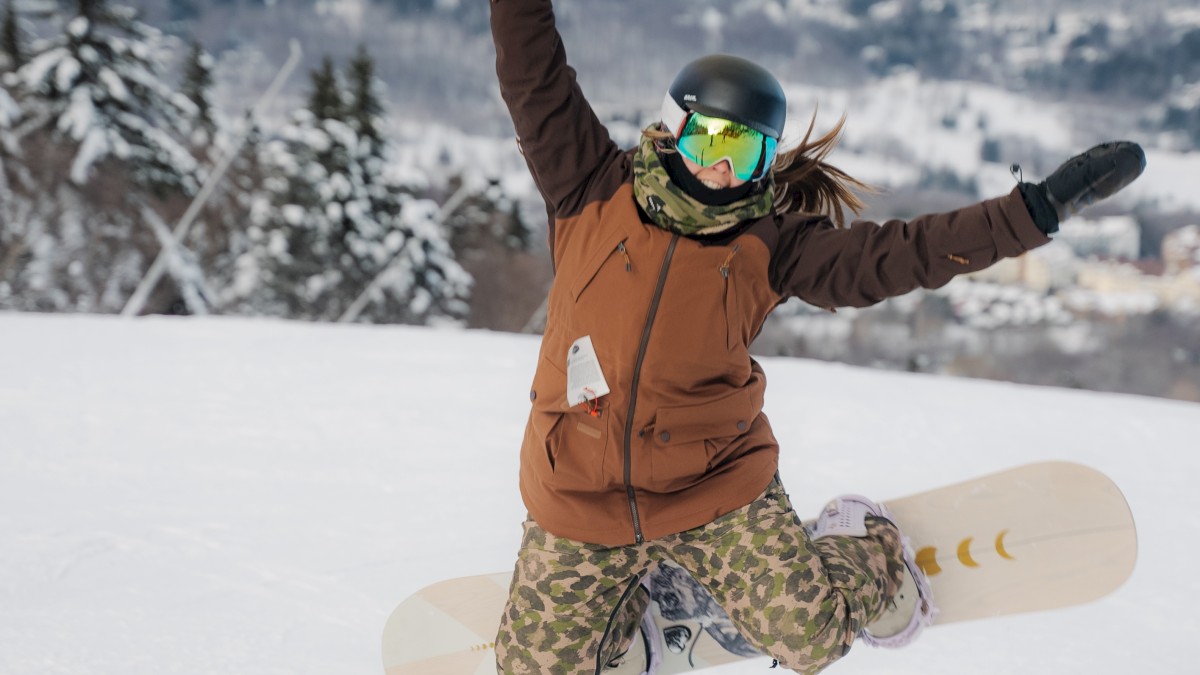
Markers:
(866, 264)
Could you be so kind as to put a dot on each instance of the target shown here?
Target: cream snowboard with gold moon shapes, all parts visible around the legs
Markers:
(1035, 537)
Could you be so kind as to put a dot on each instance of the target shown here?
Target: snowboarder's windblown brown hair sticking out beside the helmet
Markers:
(805, 182)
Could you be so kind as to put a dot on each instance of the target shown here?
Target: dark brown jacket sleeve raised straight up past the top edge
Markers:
(560, 135)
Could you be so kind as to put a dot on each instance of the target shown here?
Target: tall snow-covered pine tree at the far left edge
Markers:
(103, 142)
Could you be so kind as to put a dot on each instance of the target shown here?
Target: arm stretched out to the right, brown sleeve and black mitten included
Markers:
(861, 266)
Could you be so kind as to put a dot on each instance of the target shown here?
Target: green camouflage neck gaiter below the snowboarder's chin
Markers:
(671, 208)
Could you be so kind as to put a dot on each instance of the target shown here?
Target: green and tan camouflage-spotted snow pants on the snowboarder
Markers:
(799, 601)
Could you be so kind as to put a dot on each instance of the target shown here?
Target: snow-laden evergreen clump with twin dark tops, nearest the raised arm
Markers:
(332, 225)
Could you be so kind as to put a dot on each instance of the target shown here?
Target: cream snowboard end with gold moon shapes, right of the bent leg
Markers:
(1033, 539)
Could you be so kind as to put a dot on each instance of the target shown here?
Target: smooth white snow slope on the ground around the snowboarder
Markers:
(255, 497)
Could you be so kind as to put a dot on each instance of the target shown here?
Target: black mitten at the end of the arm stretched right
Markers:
(1082, 182)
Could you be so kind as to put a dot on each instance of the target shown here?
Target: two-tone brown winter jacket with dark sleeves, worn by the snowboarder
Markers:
(681, 439)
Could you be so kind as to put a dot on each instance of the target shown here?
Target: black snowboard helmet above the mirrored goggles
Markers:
(727, 87)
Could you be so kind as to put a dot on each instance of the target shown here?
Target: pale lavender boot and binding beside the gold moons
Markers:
(913, 608)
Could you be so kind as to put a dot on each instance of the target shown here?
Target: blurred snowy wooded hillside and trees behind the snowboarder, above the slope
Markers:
(145, 169)
